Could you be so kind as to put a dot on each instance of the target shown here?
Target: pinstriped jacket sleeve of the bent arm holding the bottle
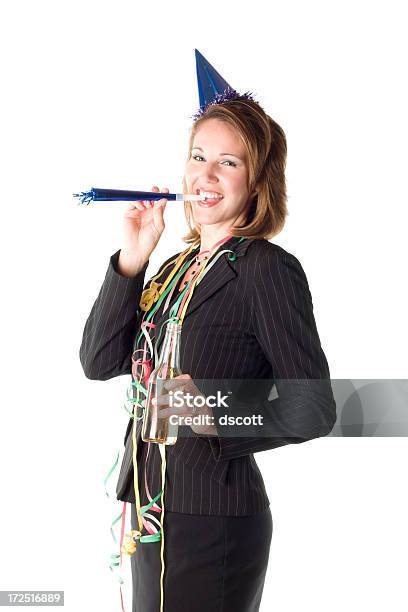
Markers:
(285, 327)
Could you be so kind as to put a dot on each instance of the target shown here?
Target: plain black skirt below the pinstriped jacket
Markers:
(212, 563)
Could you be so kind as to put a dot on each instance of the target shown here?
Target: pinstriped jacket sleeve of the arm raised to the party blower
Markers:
(109, 333)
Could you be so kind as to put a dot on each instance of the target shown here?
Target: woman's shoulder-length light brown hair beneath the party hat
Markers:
(266, 151)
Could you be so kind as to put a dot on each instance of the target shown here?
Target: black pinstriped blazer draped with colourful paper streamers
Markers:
(250, 318)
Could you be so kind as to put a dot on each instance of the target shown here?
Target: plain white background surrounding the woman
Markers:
(101, 94)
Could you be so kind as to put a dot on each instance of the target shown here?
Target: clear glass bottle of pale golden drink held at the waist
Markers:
(155, 429)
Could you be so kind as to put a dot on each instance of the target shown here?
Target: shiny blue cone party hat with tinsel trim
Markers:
(212, 87)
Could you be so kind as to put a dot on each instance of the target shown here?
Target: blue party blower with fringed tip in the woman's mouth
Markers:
(112, 195)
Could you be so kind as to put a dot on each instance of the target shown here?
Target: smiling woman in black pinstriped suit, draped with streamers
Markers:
(251, 318)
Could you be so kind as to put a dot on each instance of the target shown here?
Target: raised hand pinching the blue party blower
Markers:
(143, 224)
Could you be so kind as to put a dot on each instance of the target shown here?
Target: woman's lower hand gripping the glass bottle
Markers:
(186, 384)
